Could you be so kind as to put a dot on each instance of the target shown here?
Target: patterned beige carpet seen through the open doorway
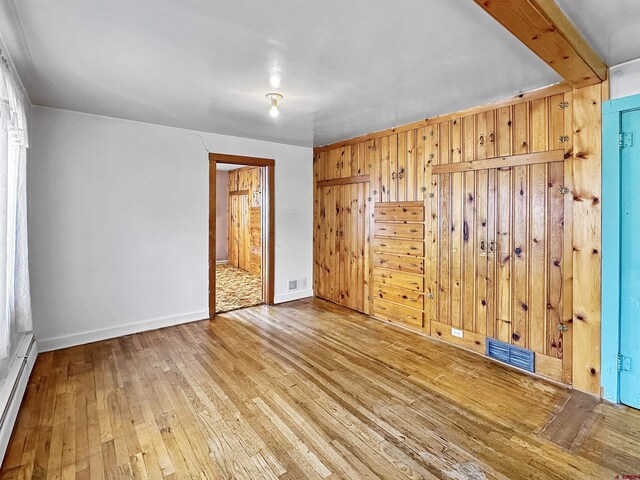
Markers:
(236, 288)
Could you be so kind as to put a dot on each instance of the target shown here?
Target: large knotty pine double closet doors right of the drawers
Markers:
(500, 255)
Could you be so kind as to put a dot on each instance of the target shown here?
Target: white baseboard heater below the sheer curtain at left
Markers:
(14, 387)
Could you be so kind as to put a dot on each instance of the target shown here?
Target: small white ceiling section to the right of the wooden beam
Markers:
(612, 27)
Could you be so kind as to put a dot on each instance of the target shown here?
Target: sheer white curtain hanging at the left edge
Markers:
(15, 300)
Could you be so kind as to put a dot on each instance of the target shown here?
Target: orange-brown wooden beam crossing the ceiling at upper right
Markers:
(546, 30)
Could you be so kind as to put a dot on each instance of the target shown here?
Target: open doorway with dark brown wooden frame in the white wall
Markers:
(241, 232)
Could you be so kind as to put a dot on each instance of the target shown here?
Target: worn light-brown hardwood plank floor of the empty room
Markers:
(302, 390)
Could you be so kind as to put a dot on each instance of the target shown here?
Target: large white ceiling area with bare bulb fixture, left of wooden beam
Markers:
(348, 67)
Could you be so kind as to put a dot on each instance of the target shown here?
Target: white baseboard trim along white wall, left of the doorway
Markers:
(91, 336)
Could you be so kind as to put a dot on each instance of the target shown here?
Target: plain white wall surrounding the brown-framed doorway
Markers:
(118, 220)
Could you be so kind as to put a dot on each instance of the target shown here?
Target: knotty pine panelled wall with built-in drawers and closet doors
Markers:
(511, 236)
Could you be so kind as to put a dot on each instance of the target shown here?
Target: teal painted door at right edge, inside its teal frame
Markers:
(630, 260)
